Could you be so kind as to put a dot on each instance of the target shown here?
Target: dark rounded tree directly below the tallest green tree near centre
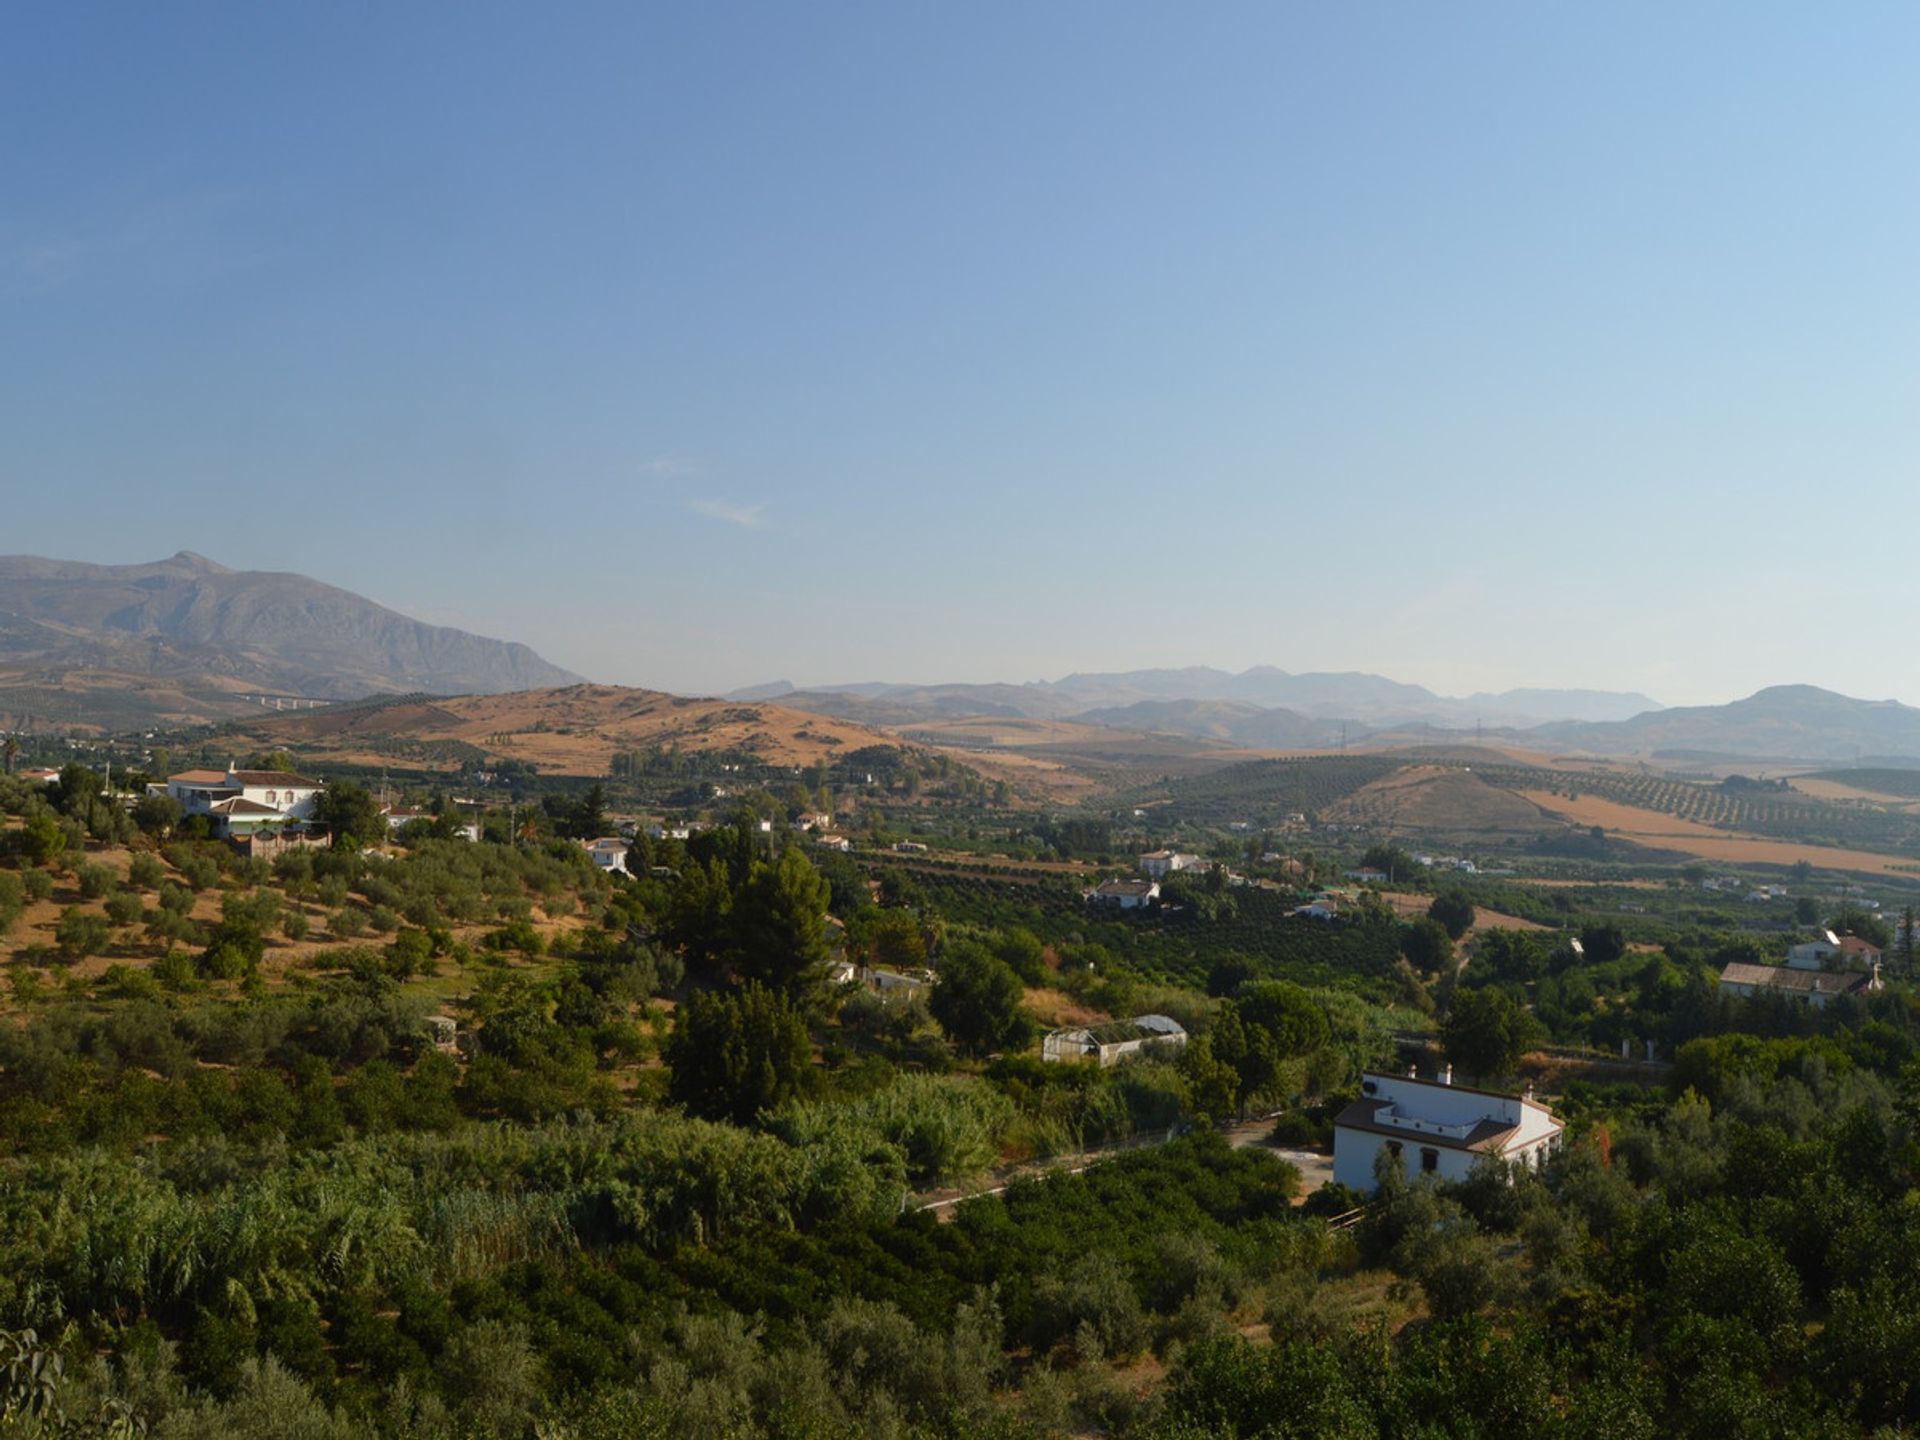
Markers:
(736, 1057)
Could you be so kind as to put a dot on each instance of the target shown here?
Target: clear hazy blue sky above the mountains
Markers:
(715, 343)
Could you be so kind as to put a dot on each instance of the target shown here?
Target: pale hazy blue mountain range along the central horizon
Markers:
(1360, 702)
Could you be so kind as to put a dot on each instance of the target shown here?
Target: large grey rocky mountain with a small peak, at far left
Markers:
(189, 635)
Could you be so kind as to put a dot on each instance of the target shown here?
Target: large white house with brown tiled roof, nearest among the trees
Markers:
(1437, 1128)
